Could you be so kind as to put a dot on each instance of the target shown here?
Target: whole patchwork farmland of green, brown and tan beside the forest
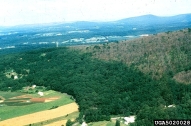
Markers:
(17, 105)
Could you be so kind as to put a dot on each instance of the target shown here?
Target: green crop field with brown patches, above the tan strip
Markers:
(14, 108)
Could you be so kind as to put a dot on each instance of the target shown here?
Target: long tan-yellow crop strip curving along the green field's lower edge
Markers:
(41, 116)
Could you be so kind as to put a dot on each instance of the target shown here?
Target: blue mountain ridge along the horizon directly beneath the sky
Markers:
(144, 19)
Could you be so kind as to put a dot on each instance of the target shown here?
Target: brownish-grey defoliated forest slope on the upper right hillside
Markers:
(163, 53)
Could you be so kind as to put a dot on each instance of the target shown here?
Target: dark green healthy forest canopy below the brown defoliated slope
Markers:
(101, 88)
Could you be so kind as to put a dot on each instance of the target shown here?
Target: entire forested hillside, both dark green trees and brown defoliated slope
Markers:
(102, 88)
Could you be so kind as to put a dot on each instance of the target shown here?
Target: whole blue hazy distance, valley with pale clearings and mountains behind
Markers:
(85, 32)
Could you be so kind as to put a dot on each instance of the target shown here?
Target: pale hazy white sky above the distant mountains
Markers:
(16, 12)
